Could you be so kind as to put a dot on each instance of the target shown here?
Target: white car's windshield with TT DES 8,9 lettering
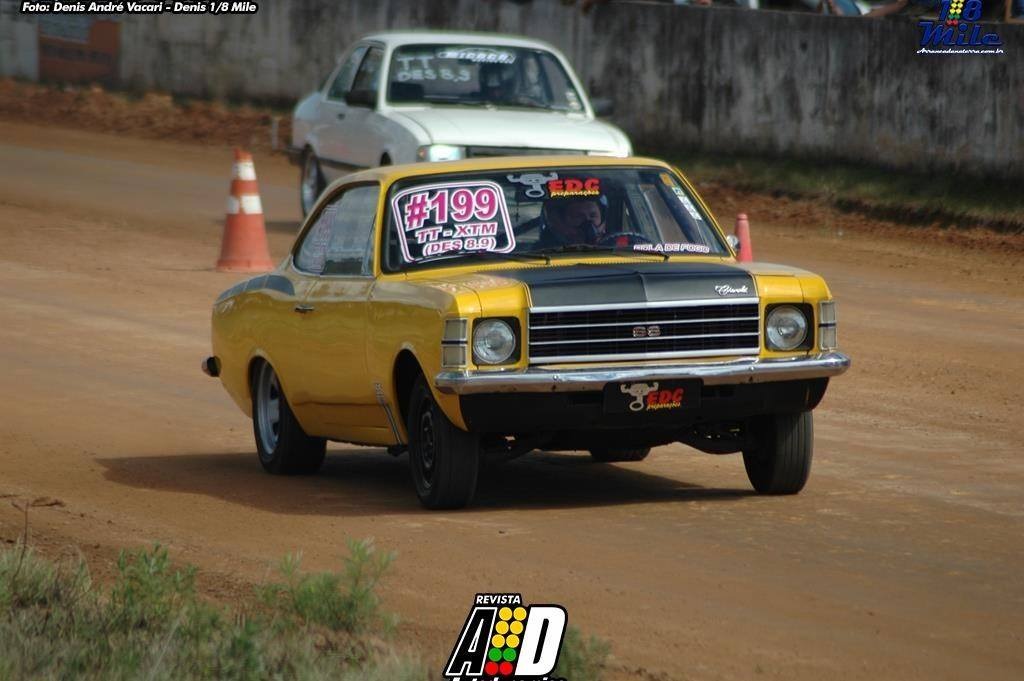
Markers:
(481, 75)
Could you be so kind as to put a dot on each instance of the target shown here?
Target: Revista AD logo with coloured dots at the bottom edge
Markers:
(504, 640)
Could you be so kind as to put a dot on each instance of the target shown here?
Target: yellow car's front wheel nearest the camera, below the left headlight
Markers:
(444, 460)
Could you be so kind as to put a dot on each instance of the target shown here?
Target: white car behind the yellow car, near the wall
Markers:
(404, 98)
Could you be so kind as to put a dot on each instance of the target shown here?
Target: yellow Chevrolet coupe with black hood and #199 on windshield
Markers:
(486, 309)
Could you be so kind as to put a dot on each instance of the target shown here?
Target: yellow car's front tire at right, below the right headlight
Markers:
(781, 461)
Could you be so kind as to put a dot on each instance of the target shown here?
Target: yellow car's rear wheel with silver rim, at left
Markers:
(284, 448)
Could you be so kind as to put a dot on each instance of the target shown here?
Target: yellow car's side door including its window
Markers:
(340, 401)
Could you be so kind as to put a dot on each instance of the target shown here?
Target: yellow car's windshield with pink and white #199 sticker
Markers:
(543, 214)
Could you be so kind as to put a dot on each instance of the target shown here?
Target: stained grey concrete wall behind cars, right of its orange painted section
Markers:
(718, 79)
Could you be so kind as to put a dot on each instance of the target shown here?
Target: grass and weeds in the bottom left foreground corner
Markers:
(56, 623)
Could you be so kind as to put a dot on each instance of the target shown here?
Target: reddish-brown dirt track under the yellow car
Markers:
(901, 561)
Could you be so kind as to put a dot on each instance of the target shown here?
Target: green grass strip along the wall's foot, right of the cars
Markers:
(940, 198)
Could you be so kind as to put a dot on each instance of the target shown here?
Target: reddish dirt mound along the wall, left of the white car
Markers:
(154, 116)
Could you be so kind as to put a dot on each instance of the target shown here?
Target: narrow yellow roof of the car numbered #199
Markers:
(389, 175)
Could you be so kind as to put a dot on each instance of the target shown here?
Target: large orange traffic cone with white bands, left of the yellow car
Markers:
(243, 248)
